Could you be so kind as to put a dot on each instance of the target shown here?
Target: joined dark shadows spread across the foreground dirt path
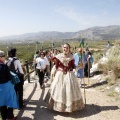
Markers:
(43, 113)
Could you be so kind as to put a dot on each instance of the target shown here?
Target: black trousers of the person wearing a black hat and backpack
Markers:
(19, 91)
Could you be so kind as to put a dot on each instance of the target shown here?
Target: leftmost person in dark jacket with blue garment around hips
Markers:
(8, 98)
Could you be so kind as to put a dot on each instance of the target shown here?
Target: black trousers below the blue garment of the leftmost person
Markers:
(6, 112)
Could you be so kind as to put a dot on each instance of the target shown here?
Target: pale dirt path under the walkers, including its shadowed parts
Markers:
(99, 106)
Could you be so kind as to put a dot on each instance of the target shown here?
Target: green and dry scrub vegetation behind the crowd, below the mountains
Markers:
(26, 52)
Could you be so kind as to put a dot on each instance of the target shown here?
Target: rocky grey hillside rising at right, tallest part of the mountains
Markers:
(100, 33)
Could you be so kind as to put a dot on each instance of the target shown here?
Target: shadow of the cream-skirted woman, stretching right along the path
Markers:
(90, 110)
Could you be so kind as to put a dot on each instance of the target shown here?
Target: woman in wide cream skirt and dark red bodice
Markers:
(64, 94)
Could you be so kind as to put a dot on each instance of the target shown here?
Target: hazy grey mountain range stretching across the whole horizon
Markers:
(94, 33)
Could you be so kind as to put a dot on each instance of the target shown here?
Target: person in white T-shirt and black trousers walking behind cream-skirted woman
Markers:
(41, 67)
